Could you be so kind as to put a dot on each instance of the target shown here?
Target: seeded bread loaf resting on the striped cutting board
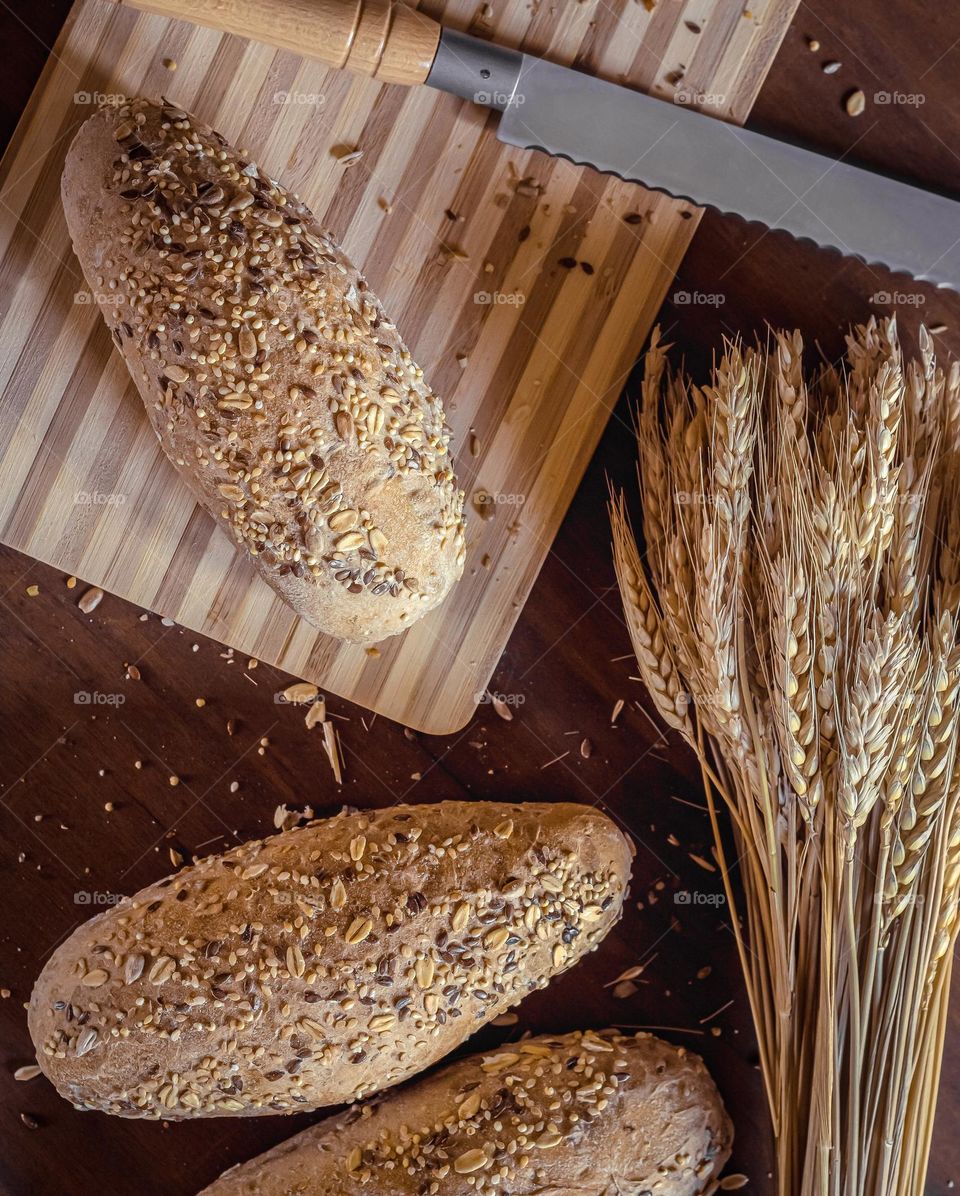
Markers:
(273, 377)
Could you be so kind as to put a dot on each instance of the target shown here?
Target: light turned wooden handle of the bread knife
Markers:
(388, 41)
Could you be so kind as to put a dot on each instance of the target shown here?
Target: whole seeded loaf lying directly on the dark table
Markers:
(326, 963)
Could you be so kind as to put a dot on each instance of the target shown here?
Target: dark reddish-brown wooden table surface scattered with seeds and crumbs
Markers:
(77, 816)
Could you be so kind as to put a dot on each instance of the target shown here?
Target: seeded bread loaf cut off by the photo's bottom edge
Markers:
(580, 1115)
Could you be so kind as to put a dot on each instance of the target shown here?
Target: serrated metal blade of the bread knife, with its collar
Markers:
(690, 156)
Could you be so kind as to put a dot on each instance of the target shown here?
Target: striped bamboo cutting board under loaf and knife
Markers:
(524, 286)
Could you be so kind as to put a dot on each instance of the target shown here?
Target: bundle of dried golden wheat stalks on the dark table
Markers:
(796, 618)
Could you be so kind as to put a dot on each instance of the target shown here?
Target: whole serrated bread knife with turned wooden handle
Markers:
(570, 114)
